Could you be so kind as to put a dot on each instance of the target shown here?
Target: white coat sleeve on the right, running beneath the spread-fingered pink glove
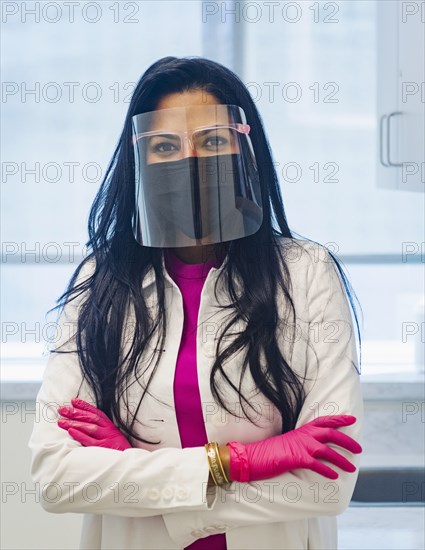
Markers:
(300, 493)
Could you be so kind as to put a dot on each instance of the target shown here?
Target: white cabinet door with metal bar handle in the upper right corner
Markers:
(401, 95)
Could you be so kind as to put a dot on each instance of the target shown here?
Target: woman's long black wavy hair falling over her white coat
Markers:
(121, 264)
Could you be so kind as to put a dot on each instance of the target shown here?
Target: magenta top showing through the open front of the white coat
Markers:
(190, 279)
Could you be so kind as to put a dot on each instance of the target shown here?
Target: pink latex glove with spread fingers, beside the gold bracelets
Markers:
(297, 448)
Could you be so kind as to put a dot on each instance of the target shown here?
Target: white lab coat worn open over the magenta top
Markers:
(138, 499)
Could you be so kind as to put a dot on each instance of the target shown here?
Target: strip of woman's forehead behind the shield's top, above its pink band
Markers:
(189, 117)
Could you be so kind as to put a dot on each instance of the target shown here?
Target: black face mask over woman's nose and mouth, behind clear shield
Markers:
(198, 195)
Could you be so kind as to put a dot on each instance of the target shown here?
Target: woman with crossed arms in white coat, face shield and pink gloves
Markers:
(245, 432)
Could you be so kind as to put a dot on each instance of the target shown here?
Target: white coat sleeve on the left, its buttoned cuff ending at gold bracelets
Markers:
(96, 480)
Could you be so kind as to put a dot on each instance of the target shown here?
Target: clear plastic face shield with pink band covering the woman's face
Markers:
(196, 177)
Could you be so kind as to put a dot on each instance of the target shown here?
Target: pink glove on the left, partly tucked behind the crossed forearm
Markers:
(91, 427)
